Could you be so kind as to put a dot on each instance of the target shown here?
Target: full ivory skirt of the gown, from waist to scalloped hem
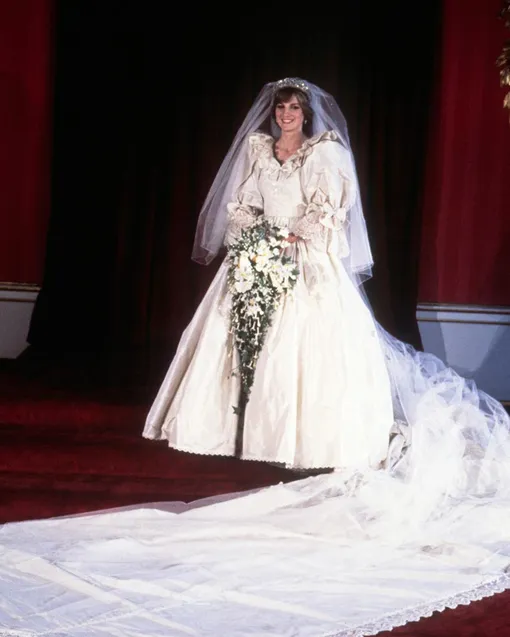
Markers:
(321, 395)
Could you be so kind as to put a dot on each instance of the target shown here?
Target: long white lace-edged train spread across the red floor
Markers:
(341, 554)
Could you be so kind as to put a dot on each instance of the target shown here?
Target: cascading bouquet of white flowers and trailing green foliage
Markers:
(259, 275)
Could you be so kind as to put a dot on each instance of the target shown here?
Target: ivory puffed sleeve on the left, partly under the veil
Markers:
(247, 204)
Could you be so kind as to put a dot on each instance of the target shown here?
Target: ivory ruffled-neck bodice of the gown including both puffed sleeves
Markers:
(309, 193)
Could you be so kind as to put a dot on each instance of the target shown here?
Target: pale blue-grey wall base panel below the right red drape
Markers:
(472, 339)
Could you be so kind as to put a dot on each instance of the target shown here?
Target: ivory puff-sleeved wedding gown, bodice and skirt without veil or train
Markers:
(321, 395)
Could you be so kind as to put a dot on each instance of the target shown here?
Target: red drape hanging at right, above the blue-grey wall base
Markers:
(466, 223)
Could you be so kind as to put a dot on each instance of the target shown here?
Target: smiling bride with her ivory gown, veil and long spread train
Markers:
(413, 519)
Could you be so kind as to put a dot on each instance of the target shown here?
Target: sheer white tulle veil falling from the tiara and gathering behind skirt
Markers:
(450, 440)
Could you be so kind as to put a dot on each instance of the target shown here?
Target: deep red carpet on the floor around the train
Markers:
(69, 448)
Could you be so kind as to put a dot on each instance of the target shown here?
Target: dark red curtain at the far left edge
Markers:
(25, 103)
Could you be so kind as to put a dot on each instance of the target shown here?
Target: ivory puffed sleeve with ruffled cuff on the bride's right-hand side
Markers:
(329, 192)
